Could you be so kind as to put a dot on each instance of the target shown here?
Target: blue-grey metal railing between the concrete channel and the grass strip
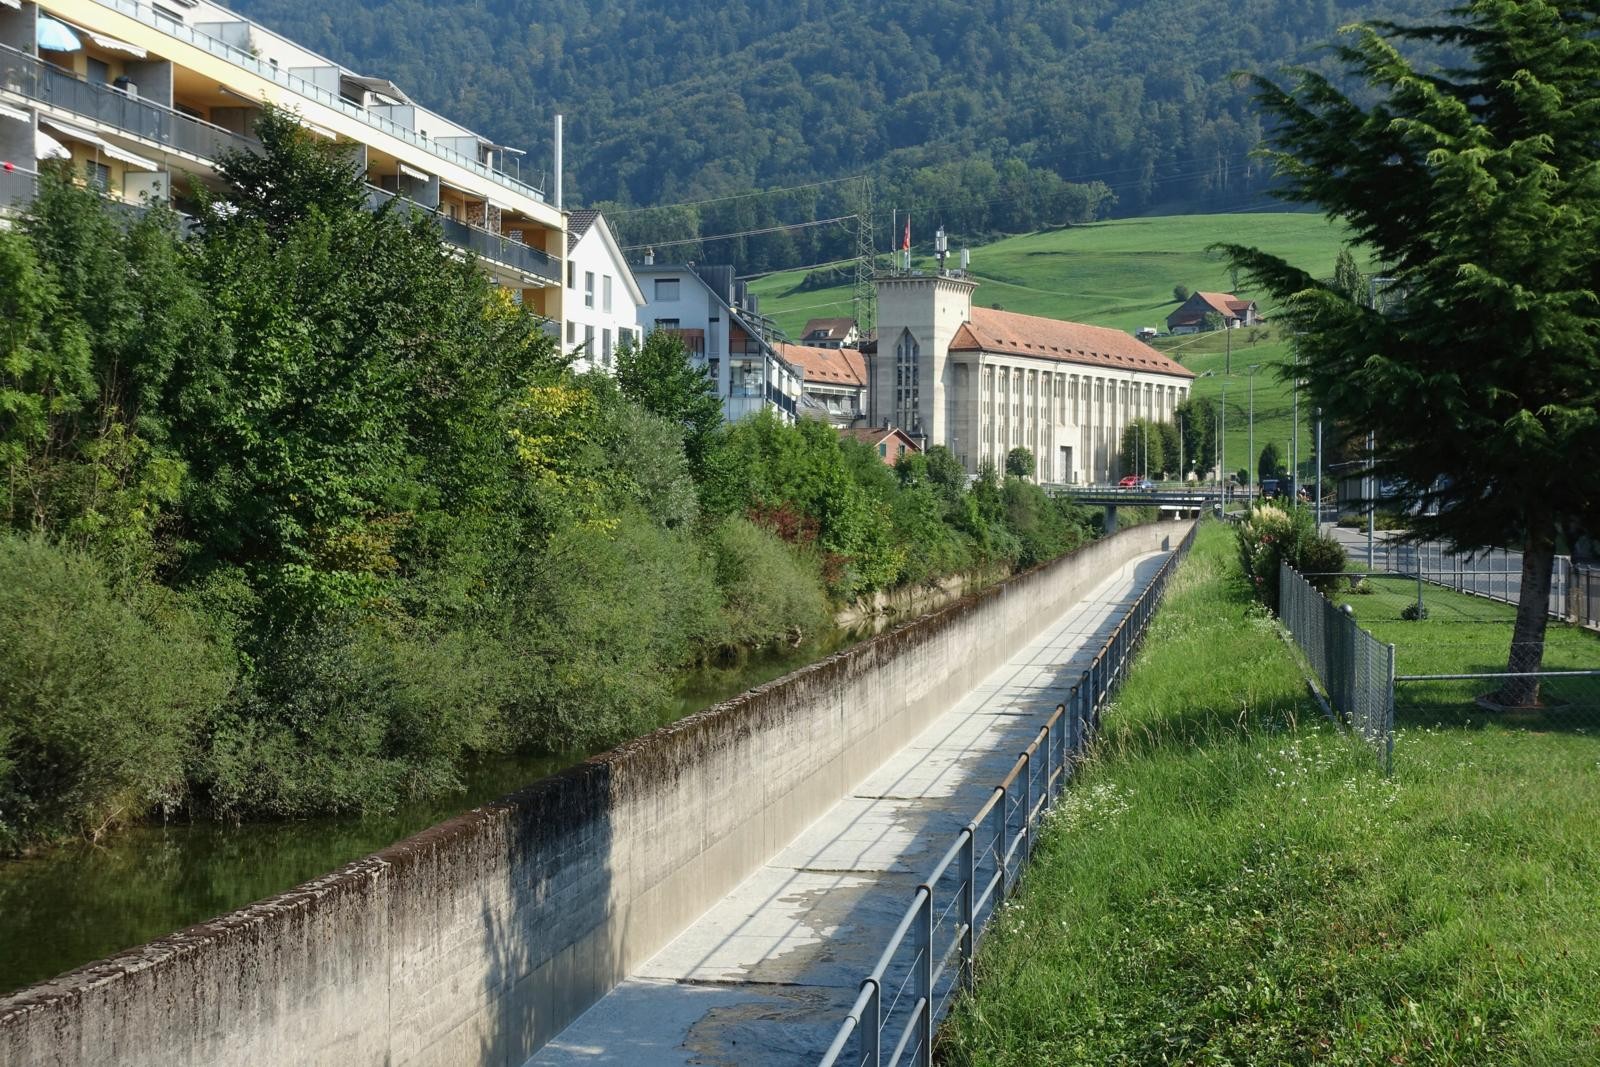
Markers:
(930, 956)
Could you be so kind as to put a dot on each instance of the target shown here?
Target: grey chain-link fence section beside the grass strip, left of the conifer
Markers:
(1356, 669)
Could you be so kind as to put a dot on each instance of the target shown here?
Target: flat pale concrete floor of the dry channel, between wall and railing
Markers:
(769, 973)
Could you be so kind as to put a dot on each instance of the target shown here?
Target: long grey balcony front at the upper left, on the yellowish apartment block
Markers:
(54, 87)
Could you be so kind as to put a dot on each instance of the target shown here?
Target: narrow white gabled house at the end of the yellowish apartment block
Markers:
(602, 297)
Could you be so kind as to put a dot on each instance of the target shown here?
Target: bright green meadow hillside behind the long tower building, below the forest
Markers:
(1121, 274)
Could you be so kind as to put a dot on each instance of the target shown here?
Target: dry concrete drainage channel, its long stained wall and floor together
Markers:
(482, 940)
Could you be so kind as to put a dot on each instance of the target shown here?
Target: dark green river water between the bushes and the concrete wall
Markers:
(81, 903)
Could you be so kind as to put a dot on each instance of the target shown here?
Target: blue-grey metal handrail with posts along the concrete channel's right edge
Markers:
(1062, 741)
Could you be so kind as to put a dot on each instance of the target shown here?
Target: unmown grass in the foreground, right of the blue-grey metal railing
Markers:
(1231, 881)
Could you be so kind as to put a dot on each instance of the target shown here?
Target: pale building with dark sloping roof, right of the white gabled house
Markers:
(711, 314)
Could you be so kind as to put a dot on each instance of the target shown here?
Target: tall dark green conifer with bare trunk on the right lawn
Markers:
(1478, 191)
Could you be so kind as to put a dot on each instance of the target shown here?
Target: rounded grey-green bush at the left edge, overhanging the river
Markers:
(102, 697)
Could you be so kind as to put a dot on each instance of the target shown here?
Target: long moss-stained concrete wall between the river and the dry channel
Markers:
(479, 940)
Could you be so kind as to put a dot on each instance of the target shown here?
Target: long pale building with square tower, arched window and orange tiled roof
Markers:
(985, 382)
